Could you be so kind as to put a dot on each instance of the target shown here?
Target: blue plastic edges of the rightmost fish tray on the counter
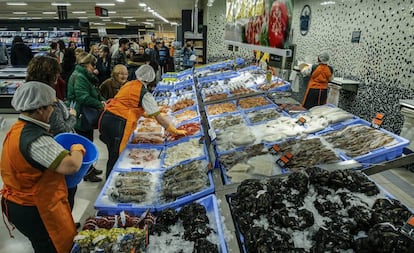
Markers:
(378, 155)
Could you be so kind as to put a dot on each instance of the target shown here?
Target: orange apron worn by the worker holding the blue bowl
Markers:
(26, 185)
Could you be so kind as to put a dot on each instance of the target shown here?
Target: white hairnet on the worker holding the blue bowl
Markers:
(33, 95)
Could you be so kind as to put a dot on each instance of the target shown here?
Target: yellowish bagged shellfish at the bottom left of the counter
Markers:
(111, 240)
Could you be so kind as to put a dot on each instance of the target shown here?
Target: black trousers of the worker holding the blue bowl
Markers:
(27, 220)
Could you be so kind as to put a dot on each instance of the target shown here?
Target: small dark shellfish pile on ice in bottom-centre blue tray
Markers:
(193, 217)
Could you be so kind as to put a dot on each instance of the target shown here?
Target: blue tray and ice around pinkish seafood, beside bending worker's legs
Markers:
(124, 162)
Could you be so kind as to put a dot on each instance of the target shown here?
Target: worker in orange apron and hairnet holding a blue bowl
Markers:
(33, 165)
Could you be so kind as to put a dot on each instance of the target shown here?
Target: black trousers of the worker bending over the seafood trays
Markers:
(111, 132)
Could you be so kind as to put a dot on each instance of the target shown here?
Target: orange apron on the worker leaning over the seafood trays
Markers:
(126, 105)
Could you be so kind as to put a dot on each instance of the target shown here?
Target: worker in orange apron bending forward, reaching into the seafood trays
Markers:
(123, 111)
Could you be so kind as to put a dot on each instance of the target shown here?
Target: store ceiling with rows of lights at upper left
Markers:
(126, 11)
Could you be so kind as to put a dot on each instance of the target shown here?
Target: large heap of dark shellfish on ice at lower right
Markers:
(318, 211)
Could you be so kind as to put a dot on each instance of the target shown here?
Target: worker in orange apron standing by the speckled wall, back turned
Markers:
(320, 75)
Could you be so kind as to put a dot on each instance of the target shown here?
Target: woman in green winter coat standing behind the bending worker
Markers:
(83, 91)
